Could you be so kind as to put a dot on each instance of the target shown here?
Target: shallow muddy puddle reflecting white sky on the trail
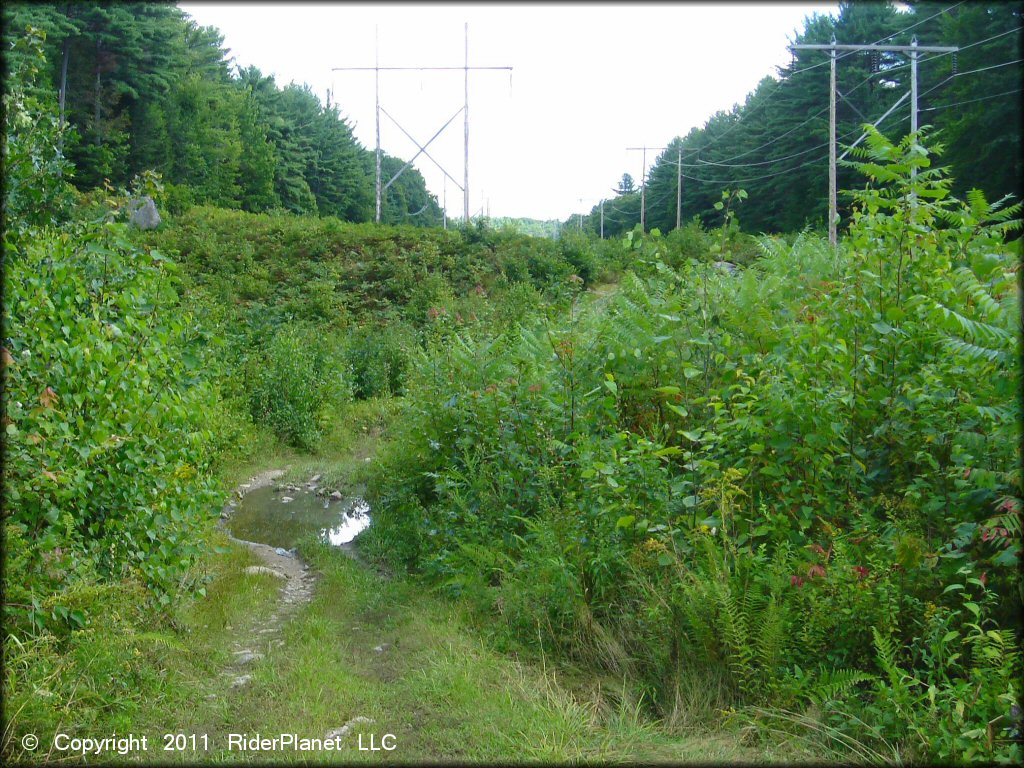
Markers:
(265, 517)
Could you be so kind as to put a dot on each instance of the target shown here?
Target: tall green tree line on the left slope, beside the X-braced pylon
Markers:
(142, 87)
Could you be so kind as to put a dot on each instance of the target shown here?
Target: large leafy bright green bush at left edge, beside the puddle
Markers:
(106, 446)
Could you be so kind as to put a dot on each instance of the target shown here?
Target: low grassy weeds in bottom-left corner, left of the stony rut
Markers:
(129, 668)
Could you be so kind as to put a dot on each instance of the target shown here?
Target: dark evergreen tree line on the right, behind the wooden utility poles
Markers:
(776, 145)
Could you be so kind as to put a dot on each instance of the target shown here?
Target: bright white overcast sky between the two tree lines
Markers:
(548, 140)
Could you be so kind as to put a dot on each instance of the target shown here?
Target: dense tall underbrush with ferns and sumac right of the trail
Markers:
(802, 479)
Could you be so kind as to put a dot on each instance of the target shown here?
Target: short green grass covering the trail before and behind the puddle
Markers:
(440, 687)
